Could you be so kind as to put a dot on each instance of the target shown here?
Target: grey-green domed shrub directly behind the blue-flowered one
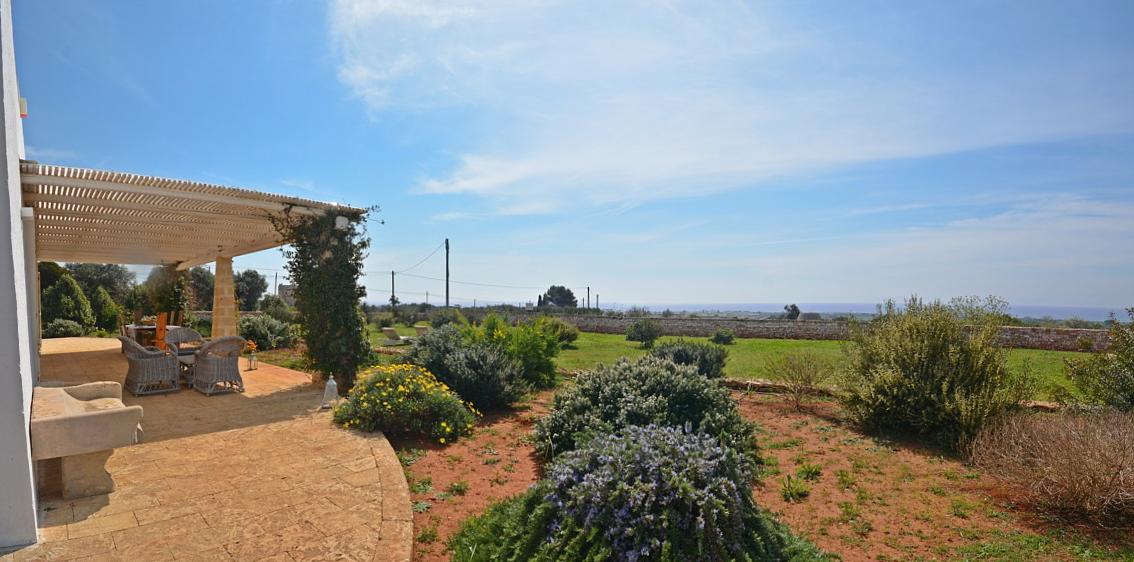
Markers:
(650, 391)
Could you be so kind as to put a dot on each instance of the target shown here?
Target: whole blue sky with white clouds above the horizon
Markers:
(659, 152)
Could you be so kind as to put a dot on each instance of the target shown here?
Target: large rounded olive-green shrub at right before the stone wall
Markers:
(934, 370)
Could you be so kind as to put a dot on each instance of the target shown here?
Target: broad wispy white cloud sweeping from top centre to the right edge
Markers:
(688, 99)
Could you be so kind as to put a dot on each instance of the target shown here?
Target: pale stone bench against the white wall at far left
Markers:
(81, 427)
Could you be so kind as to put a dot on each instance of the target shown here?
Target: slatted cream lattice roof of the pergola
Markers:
(104, 217)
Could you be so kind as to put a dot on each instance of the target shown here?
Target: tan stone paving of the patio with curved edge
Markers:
(261, 475)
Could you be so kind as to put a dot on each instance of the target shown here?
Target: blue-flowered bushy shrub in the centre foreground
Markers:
(650, 493)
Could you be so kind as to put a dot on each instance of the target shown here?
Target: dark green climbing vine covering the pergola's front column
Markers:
(325, 256)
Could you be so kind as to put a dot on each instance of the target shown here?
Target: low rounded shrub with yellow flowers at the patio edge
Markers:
(405, 399)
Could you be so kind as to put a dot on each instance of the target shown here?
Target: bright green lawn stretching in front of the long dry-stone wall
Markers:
(748, 357)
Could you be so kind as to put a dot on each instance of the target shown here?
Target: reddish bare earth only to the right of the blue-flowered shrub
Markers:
(881, 500)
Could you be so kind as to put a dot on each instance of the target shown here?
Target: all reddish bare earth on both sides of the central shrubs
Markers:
(873, 499)
